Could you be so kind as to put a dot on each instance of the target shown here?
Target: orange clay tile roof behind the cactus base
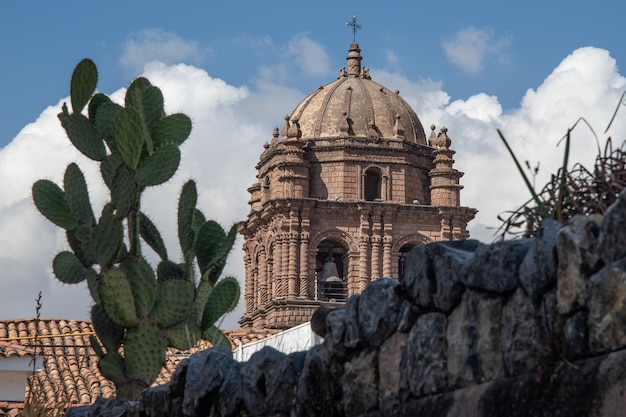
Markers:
(69, 371)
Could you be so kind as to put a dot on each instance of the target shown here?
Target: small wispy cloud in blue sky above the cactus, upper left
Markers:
(158, 45)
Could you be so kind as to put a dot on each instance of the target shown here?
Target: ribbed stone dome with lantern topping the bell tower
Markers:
(355, 106)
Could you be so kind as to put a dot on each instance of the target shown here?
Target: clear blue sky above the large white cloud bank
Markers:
(42, 41)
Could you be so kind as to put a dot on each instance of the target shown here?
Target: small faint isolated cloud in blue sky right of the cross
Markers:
(470, 47)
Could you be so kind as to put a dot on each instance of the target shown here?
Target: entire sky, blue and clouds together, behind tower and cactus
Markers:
(529, 68)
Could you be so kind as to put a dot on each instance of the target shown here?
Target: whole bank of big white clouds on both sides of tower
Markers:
(230, 125)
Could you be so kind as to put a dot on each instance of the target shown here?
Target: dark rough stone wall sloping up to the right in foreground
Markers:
(533, 327)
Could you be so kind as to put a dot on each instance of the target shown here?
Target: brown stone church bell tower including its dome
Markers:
(351, 180)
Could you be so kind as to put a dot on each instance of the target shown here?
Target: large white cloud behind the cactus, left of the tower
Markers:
(224, 146)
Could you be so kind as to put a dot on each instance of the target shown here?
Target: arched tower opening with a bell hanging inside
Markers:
(331, 266)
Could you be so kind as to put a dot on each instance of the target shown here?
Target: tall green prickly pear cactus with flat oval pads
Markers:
(138, 311)
